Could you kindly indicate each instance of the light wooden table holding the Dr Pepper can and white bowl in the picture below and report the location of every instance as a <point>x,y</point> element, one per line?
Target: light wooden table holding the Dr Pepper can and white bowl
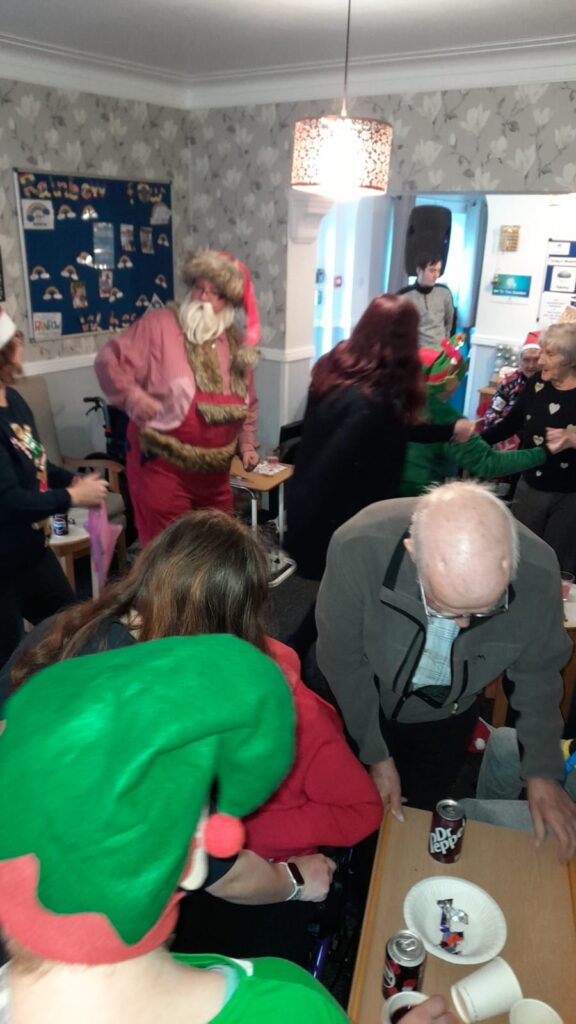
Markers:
<point>537,894</point>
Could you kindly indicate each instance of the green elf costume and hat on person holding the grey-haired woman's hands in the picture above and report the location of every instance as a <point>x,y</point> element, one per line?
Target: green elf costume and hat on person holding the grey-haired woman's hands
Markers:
<point>444,368</point>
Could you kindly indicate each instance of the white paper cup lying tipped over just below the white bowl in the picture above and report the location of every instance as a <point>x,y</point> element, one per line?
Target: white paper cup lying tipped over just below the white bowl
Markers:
<point>491,991</point>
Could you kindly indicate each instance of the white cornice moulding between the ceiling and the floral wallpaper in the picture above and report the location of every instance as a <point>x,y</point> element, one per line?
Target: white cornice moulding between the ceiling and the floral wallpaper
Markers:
<point>551,60</point>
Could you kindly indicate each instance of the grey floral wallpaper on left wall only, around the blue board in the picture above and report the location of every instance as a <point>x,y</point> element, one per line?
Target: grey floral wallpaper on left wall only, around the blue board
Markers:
<point>54,130</point>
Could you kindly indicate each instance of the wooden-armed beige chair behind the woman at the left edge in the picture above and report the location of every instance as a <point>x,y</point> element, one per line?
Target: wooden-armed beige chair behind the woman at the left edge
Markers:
<point>35,392</point>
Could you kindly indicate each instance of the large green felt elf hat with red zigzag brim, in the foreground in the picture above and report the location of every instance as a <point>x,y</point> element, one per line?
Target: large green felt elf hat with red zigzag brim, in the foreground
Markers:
<point>107,763</point>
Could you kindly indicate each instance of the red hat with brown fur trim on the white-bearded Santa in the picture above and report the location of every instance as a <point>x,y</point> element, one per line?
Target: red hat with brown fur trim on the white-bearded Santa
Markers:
<point>232,279</point>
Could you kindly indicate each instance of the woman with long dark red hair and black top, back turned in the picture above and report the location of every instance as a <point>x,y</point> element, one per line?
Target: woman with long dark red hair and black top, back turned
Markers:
<point>364,403</point>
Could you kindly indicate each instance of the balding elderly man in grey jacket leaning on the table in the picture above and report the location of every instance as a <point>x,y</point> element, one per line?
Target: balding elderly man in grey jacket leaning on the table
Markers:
<point>424,603</point>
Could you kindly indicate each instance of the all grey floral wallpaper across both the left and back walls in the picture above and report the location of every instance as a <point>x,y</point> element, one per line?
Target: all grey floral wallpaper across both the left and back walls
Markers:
<point>231,167</point>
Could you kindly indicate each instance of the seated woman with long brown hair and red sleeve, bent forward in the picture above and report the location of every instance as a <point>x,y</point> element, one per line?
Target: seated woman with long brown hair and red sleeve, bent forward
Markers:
<point>208,574</point>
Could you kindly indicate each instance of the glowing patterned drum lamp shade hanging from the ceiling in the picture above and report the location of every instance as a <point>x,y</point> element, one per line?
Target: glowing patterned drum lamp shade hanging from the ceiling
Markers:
<point>342,158</point>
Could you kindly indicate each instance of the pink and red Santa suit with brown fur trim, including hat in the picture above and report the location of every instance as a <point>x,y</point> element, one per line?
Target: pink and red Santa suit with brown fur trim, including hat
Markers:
<point>180,460</point>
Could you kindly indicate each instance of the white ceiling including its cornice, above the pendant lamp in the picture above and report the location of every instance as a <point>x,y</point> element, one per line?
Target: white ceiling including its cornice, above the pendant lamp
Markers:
<point>200,54</point>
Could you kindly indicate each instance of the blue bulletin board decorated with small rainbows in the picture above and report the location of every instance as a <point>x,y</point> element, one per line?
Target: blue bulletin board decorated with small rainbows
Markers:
<point>98,252</point>
